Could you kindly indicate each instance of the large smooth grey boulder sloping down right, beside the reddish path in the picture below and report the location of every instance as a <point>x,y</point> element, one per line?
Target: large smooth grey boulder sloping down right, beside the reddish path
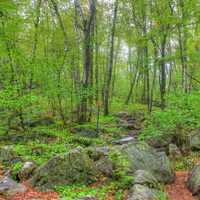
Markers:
<point>141,156</point>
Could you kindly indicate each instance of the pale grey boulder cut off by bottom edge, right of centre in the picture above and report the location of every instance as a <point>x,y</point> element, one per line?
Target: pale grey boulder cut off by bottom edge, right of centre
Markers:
<point>141,192</point>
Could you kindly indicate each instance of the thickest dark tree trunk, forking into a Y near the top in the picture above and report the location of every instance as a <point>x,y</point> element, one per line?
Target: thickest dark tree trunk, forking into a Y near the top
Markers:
<point>88,31</point>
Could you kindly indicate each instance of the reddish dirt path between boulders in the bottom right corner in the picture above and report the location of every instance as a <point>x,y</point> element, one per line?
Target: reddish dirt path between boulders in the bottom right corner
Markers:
<point>178,190</point>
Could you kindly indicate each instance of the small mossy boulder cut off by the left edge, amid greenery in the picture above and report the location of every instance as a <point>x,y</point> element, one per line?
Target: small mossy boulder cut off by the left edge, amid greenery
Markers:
<point>7,154</point>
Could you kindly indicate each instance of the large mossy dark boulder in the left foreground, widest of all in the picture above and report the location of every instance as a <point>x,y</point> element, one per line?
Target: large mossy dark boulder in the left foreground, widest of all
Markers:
<point>72,167</point>
